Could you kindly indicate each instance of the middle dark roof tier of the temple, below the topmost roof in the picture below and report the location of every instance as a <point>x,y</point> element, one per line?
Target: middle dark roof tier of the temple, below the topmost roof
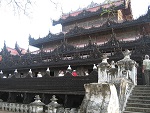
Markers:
<point>104,28</point>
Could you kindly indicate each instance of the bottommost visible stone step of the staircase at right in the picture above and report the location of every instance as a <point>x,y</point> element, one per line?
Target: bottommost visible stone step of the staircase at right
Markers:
<point>137,109</point>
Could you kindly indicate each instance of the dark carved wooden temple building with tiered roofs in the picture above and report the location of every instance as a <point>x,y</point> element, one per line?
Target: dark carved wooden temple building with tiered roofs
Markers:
<point>86,35</point>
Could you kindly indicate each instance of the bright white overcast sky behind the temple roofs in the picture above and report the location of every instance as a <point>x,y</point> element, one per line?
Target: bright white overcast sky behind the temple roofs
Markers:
<point>14,27</point>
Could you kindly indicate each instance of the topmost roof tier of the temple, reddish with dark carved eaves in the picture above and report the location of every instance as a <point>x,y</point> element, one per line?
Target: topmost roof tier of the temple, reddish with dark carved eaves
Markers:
<point>92,11</point>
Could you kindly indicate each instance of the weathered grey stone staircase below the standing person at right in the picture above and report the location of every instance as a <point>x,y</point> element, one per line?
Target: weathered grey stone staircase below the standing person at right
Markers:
<point>139,100</point>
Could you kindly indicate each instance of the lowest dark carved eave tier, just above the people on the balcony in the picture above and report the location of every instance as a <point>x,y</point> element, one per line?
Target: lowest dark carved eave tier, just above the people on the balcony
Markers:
<point>66,54</point>
